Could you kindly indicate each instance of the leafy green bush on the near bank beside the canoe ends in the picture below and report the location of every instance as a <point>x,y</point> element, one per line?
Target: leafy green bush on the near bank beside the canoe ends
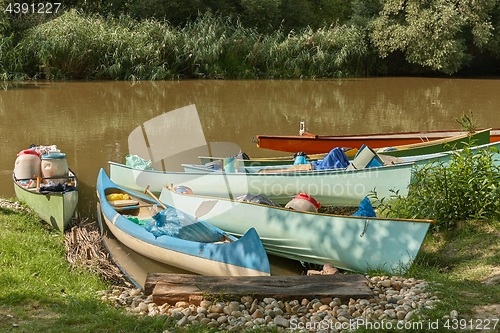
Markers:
<point>467,186</point>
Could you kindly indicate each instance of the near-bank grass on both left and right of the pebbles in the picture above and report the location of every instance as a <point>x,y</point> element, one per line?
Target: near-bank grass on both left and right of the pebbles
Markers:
<point>41,292</point>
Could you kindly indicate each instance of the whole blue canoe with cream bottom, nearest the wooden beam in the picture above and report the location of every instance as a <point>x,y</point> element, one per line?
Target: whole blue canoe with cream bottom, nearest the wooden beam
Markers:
<point>203,248</point>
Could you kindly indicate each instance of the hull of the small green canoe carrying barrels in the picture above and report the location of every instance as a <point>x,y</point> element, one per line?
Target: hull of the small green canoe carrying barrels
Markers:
<point>56,209</point>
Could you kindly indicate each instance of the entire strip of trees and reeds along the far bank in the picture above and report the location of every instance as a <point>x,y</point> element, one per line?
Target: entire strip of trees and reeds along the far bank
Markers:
<point>153,39</point>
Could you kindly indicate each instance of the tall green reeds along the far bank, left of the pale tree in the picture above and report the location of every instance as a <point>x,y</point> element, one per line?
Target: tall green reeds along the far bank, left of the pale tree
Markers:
<point>78,46</point>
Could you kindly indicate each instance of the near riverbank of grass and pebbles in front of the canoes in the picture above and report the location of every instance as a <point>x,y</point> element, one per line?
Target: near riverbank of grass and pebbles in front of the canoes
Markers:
<point>459,268</point>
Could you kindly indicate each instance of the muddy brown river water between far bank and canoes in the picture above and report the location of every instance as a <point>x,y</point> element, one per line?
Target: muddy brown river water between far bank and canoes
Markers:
<point>91,121</point>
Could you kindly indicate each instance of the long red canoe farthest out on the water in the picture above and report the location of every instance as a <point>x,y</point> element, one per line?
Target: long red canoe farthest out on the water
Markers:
<point>317,144</point>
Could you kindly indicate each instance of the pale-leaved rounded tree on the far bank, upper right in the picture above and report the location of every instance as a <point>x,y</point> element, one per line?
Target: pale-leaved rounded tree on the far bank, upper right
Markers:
<point>436,34</point>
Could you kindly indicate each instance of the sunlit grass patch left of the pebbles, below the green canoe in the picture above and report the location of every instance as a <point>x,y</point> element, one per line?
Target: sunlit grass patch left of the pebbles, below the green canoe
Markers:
<point>41,292</point>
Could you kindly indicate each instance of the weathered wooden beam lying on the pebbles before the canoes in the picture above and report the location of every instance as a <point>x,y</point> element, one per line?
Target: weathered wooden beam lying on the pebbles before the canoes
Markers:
<point>171,288</point>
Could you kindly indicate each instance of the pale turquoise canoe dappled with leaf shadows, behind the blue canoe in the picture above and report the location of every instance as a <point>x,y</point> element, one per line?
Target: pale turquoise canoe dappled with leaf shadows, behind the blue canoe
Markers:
<point>352,243</point>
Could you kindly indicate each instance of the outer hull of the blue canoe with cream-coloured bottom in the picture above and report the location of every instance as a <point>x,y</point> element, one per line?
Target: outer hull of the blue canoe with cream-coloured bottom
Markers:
<point>243,257</point>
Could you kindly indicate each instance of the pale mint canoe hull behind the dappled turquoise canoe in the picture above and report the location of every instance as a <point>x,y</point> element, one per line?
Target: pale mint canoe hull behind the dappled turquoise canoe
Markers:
<point>329,187</point>
